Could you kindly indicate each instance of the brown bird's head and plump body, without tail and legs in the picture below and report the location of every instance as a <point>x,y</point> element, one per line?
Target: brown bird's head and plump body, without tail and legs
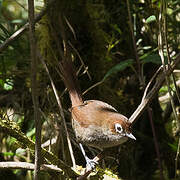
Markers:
<point>99,125</point>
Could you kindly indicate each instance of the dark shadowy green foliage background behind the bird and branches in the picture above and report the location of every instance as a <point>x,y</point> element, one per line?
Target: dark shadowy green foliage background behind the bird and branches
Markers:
<point>100,36</point>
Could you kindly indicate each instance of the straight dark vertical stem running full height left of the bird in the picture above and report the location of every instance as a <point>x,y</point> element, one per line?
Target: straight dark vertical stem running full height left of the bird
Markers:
<point>34,85</point>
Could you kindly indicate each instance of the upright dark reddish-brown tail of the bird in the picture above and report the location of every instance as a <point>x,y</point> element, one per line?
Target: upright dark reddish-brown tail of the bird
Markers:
<point>70,81</point>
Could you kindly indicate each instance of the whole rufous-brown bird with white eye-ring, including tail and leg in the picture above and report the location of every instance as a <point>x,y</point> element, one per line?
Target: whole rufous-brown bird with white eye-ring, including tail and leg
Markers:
<point>95,123</point>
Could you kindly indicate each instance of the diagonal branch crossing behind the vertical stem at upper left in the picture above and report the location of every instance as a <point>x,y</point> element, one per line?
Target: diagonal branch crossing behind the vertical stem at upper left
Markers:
<point>19,32</point>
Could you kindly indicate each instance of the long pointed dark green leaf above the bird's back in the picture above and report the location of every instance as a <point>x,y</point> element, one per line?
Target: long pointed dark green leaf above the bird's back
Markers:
<point>119,67</point>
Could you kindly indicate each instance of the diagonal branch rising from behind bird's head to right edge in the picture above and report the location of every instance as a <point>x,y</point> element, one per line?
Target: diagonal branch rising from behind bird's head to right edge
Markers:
<point>149,97</point>
